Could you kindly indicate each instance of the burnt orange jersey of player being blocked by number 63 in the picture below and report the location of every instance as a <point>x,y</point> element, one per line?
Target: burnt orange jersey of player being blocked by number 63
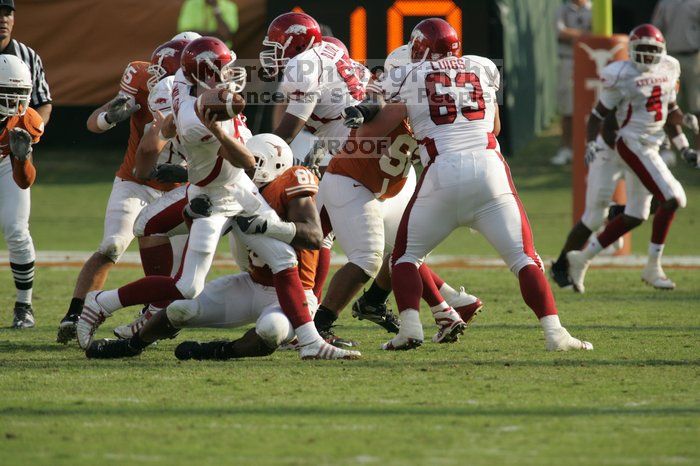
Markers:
<point>381,164</point>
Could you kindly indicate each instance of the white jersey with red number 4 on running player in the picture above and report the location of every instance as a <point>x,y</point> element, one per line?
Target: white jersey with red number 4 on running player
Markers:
<point>641,97</point>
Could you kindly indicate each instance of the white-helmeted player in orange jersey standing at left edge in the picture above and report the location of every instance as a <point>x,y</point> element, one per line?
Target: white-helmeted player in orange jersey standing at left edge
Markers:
<point>20,128</point>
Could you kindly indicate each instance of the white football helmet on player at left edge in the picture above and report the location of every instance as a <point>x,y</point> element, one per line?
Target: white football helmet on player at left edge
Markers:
<point>15,86</point>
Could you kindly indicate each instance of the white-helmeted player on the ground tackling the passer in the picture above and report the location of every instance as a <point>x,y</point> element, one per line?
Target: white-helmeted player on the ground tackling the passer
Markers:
<point>249,297</point>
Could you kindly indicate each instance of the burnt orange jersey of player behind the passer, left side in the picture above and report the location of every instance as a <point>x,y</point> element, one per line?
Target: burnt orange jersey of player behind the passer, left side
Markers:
<point>134,83</point>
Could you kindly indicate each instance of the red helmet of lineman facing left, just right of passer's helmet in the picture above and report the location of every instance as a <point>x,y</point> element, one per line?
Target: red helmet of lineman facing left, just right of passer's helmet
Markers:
<point>288,35</point>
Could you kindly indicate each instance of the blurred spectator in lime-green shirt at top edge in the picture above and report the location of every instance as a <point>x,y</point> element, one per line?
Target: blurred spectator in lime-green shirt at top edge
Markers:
<point>218,18</point>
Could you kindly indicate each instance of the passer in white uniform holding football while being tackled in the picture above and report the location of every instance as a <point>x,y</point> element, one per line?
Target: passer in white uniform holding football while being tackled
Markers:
<point>218,190</point>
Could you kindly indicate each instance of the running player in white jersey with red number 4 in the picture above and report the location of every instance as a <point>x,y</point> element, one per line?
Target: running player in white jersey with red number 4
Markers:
<point>643,90</point>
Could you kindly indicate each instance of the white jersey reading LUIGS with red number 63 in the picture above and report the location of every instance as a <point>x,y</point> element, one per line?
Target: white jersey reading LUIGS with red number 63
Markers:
<point>451,103</point>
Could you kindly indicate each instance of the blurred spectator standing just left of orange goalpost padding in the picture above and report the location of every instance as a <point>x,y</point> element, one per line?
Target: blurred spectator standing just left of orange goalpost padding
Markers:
<point>573,19</point>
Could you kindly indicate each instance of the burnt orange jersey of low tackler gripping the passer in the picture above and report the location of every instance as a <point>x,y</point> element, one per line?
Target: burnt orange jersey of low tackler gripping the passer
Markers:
<point>294,183</point>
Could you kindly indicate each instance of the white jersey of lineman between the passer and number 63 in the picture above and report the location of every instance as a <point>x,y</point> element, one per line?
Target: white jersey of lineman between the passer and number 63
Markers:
<point>320,83</point>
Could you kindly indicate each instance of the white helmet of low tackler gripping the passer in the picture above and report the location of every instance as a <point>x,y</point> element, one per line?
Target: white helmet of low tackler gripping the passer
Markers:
<point>272,155</point>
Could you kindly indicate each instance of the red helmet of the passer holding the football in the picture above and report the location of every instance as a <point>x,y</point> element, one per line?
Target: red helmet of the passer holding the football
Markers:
<point>209,62</point>
